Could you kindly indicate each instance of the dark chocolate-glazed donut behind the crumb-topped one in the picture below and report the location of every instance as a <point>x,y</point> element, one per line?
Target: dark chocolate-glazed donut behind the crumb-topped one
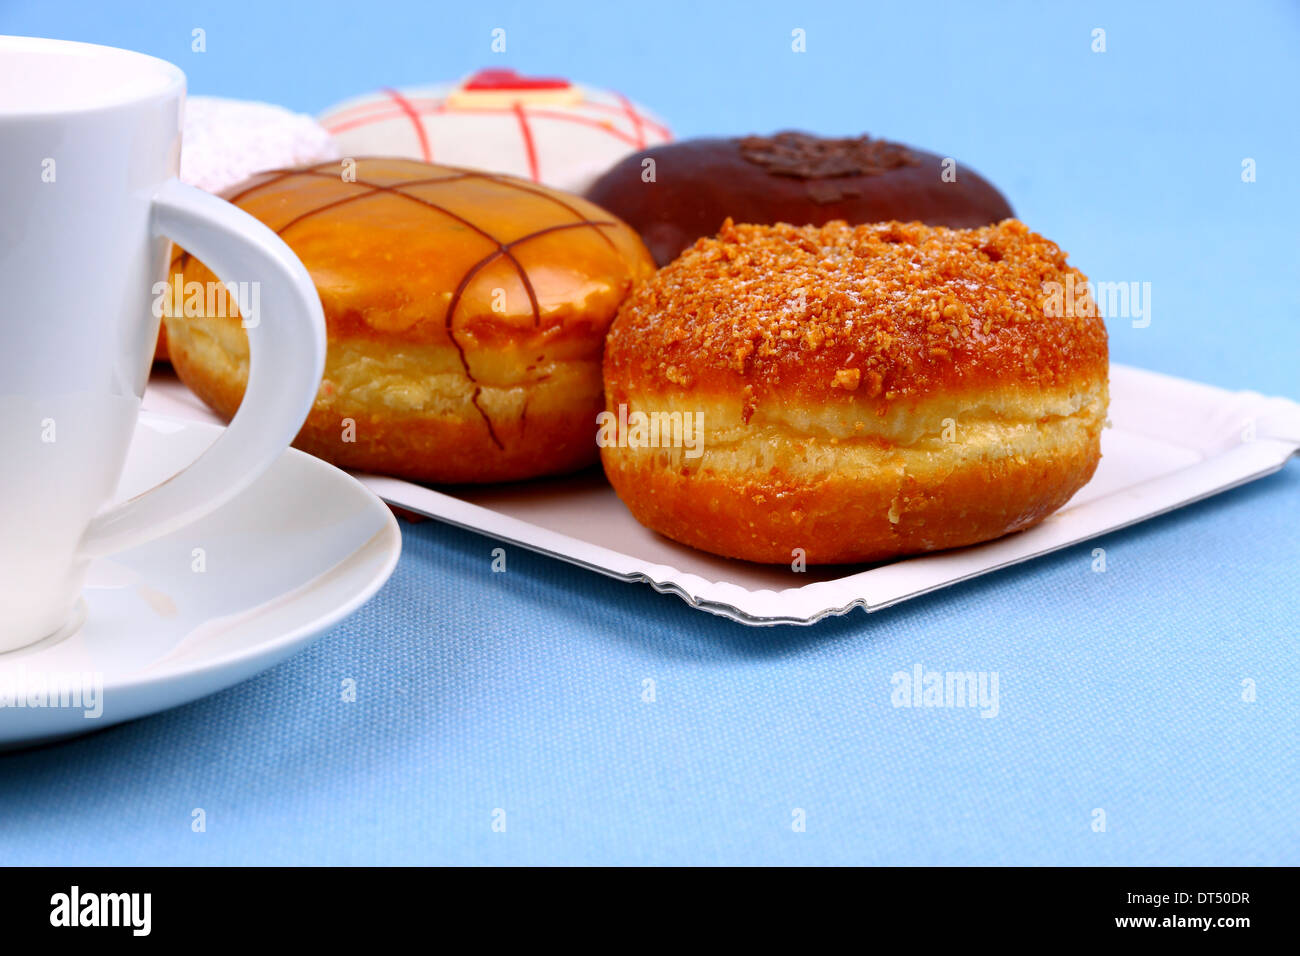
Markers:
<point>679,193</point>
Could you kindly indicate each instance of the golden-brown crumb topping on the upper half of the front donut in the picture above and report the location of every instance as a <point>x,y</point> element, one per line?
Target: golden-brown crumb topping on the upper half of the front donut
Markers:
<point>868,312</point>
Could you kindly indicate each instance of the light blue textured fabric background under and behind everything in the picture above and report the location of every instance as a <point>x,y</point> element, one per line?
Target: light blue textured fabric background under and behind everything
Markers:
<point>523,691</point>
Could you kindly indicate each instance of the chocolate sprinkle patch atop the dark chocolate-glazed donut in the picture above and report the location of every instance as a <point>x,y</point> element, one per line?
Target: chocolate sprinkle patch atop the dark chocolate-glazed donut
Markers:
<point>804,157</point>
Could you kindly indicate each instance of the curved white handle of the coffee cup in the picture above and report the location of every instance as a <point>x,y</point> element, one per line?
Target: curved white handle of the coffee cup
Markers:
<point>287,361</point>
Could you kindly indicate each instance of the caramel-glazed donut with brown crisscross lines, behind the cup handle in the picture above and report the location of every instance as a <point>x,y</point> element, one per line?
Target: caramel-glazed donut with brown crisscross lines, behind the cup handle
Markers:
<point>466,317</point>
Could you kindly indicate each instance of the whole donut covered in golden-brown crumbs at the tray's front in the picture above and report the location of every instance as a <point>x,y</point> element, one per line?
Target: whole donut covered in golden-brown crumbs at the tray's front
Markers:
<point>846,395</point>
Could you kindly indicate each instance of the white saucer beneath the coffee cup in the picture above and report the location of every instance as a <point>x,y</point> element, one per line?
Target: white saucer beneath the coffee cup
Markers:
<point>284,561</point>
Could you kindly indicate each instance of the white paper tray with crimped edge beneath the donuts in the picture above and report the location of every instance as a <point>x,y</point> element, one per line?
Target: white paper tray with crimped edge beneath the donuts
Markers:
<point>1171,443</point>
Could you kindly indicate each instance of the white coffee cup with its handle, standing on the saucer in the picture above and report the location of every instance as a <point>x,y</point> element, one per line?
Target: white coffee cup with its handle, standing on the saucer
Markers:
<point>90,146</point>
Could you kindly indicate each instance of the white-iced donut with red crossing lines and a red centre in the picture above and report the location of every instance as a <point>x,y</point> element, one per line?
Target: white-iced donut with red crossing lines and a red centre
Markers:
<point>544,129</point>
